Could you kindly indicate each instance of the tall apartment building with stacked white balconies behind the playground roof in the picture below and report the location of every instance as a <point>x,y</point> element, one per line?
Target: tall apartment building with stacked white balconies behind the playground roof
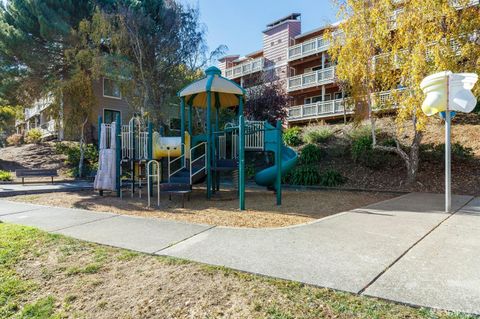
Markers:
<point>302,64</point>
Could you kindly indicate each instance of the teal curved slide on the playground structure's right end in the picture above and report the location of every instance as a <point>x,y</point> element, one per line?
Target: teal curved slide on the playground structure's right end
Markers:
<point>267,176</point>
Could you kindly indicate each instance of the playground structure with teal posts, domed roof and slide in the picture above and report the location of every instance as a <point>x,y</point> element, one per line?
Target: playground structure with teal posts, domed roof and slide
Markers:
<point>172,165</point>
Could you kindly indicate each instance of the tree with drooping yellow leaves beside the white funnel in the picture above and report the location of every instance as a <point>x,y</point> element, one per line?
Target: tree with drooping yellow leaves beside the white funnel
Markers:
<point>391,46</point>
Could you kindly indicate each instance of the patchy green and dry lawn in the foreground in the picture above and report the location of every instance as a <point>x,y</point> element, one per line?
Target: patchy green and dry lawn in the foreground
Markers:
<point>51,276</point>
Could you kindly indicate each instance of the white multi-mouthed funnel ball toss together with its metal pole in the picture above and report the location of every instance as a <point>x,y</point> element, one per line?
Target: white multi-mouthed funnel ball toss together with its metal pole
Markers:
<point>448,93</point>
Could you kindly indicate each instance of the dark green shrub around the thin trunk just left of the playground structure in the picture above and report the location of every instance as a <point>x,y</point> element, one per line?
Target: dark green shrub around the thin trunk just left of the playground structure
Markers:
<point>72,151</point>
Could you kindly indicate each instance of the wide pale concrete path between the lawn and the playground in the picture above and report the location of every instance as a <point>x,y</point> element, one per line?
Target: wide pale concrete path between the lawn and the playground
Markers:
<point>405,249</point>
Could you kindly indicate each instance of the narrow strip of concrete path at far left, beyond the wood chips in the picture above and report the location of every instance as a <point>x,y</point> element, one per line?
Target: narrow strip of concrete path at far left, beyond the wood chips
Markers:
<point>46,187</point>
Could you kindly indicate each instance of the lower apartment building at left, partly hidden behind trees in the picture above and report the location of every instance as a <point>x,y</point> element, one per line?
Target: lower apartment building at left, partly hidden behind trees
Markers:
<point>42,114</point>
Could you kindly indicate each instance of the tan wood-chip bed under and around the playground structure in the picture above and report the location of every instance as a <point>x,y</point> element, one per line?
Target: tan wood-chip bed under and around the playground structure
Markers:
<point>297,206</point>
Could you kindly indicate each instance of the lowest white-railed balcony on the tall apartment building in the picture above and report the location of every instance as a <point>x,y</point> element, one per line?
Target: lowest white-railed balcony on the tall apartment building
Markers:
<point>318,110</point>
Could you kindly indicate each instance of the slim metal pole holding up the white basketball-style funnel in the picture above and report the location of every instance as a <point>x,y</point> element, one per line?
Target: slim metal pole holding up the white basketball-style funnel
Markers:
<point>448,153</point>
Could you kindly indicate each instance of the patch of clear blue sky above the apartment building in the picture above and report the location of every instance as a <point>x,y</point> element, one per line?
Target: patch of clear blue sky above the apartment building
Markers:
<point>239,23</point>
